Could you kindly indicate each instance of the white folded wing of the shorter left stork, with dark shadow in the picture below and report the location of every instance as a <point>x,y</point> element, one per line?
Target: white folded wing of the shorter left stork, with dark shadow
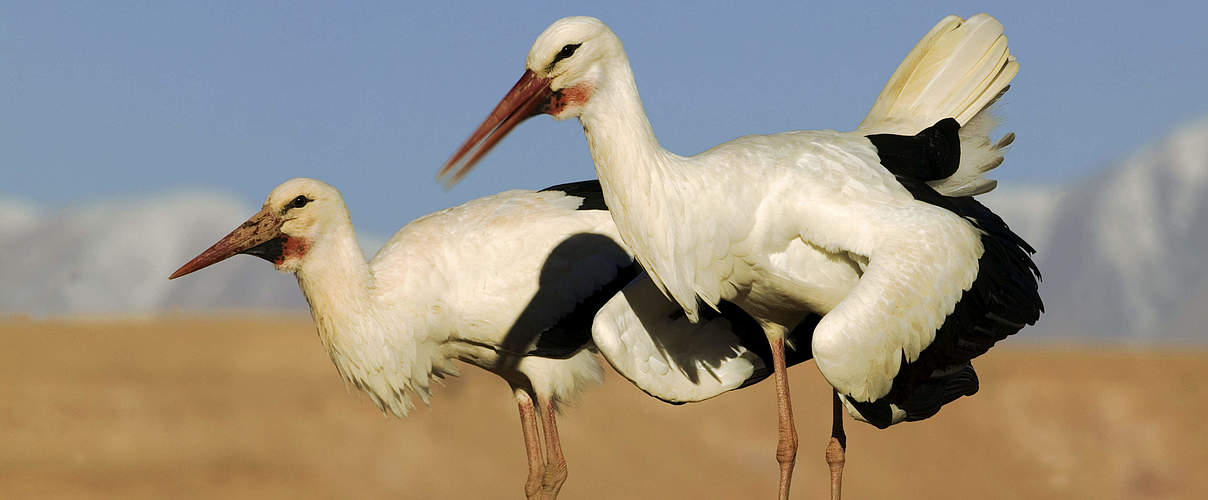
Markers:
<point>521,272</point>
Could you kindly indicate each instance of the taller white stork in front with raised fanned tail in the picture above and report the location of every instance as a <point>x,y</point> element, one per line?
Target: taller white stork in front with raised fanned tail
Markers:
<point>876,230</point>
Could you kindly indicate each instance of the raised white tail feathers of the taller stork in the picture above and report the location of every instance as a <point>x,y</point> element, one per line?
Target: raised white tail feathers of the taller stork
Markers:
<point>957,71</point>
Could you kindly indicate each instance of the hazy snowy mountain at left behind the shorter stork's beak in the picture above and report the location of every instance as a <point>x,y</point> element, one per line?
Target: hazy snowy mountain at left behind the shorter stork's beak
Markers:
<point>114,258</point>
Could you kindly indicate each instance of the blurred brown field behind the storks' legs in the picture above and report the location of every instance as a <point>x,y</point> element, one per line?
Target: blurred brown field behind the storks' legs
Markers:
<point>235,409</point>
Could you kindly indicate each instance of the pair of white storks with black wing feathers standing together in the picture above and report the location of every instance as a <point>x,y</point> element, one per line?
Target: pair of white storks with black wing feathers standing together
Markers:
<point>864,251</point>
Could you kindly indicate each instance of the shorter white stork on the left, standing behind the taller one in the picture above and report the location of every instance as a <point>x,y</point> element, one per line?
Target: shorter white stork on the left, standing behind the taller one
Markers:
<point>461,284</point>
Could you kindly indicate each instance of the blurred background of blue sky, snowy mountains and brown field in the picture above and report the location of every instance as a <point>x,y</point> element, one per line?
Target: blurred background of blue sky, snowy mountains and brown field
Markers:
<point>135,135</point>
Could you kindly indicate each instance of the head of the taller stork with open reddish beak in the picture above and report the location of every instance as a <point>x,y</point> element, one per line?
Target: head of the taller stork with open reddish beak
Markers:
<point>564,69</point>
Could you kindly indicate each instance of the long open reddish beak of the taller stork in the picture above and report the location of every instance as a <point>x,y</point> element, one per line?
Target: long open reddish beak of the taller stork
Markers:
<point>528,97</point>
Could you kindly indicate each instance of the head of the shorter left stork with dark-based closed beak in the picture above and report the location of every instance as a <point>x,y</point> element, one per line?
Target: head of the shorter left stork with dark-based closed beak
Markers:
<point>294,218</point>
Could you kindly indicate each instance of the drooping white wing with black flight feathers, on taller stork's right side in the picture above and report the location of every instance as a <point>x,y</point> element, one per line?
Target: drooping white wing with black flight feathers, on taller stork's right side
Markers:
<point>899,346</point>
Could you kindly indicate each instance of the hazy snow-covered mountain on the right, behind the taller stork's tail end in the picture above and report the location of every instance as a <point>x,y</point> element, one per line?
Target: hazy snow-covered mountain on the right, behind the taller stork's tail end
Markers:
<point>1123,254</point>
